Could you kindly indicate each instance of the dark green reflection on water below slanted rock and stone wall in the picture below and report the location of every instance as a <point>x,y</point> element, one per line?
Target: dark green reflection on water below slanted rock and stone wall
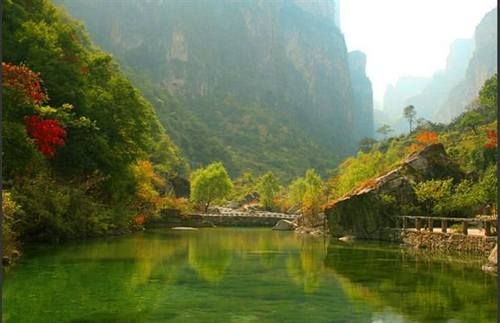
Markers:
<point>419,286</point>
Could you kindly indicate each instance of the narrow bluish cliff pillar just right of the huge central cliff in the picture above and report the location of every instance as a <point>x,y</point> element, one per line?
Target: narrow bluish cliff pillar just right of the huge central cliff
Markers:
<point>363,96</point>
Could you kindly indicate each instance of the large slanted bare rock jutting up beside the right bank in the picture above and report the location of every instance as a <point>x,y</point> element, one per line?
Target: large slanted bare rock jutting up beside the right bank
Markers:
<point>369,209</point>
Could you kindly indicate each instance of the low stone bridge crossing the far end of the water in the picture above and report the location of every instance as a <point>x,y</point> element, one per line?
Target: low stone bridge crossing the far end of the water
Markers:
<point>228,219</point>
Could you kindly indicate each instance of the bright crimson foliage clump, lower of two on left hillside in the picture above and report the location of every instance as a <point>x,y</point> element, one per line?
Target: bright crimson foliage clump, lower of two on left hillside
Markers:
<point>46,133</point>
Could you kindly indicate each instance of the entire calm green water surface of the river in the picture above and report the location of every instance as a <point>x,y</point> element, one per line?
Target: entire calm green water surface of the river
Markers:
<point>242,275</point>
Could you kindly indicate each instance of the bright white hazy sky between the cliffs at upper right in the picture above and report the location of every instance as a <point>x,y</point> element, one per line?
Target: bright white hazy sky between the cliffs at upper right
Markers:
<point>407,37</point>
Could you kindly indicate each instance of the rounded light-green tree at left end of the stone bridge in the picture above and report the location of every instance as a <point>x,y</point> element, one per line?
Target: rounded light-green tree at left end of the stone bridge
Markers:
<point>210,184</point>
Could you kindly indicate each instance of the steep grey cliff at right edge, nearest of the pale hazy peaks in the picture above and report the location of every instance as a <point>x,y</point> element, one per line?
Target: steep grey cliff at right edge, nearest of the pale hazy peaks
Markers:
<point>482,65</point>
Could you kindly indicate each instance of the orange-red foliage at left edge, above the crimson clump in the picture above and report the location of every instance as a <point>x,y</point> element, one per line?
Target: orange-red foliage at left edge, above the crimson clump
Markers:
<point>24,81</point>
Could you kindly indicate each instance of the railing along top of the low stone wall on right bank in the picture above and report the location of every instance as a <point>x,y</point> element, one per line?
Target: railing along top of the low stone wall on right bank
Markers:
<point>487,221</point>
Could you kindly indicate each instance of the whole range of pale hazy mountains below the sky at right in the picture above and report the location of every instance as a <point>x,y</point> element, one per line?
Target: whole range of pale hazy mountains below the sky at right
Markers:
<point>449,91</point>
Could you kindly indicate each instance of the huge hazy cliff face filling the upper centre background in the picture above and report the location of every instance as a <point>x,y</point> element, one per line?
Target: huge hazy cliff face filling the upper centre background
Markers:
<point>268,82</point>
